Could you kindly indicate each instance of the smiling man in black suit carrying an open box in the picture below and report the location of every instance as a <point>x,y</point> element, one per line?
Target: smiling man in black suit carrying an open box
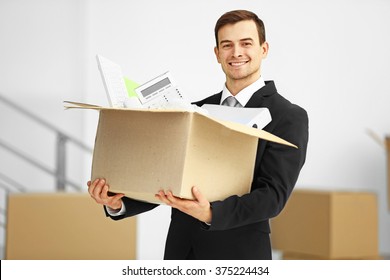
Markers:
<point>237,227</point>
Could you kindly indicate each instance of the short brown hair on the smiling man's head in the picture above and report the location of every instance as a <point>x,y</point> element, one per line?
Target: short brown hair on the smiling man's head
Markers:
<point>235,16</point>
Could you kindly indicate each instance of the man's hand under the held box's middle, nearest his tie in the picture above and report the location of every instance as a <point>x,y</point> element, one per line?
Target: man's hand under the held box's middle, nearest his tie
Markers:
<point>199,208</point>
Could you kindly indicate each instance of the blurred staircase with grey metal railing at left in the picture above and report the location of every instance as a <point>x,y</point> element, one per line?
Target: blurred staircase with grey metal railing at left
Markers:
<point>56,169</point>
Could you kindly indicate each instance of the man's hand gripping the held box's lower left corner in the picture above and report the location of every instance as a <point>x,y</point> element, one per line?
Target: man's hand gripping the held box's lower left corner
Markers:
<point>98,190</point>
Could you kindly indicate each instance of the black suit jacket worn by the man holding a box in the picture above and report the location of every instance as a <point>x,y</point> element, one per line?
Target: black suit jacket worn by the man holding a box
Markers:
<point>240,225</point>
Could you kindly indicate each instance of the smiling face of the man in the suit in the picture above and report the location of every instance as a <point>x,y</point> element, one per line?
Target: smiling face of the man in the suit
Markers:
<point>239,52</point>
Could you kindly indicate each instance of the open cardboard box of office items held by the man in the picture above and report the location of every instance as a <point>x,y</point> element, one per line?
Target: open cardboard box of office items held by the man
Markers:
<point>140,152</point>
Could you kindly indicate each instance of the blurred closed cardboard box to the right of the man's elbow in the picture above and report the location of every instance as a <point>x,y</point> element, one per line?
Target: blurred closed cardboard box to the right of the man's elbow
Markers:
<point>328,224</point>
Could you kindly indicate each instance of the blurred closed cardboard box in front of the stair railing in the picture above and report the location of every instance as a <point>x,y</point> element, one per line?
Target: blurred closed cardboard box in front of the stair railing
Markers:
<point>63,226</point>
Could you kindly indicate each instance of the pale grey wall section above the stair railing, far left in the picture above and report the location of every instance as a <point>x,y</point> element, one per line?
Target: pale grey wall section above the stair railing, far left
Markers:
<point>41,52</point>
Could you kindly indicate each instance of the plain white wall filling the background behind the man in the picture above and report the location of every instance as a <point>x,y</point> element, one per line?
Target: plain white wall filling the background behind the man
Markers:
<point>331,57</point>
